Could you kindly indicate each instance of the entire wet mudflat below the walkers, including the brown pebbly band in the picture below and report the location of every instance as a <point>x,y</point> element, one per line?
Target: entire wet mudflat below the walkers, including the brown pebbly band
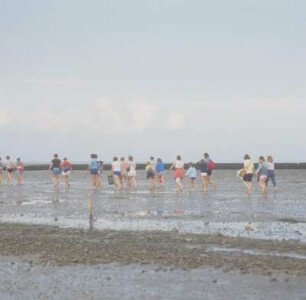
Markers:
<point>143,245</point>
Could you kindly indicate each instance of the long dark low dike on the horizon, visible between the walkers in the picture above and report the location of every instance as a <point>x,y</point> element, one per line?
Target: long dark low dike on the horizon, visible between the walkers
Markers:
<point>141,166</point>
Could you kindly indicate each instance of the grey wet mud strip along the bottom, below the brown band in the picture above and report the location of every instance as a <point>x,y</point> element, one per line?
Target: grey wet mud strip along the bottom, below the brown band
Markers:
<point>25,280</point>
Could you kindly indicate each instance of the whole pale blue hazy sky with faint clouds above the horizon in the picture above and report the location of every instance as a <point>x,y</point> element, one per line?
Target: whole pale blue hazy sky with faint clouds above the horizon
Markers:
<point>153,77</point>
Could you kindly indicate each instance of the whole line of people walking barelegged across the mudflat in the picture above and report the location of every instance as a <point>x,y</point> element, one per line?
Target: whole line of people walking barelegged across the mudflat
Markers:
<point>123,172</point>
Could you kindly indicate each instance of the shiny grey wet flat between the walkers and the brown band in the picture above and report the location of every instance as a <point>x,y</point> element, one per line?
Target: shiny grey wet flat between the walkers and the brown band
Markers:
<point>227,210</point>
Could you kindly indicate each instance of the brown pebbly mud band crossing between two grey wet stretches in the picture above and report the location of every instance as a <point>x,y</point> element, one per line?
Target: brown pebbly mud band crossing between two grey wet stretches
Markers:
<point>62,247</point>
